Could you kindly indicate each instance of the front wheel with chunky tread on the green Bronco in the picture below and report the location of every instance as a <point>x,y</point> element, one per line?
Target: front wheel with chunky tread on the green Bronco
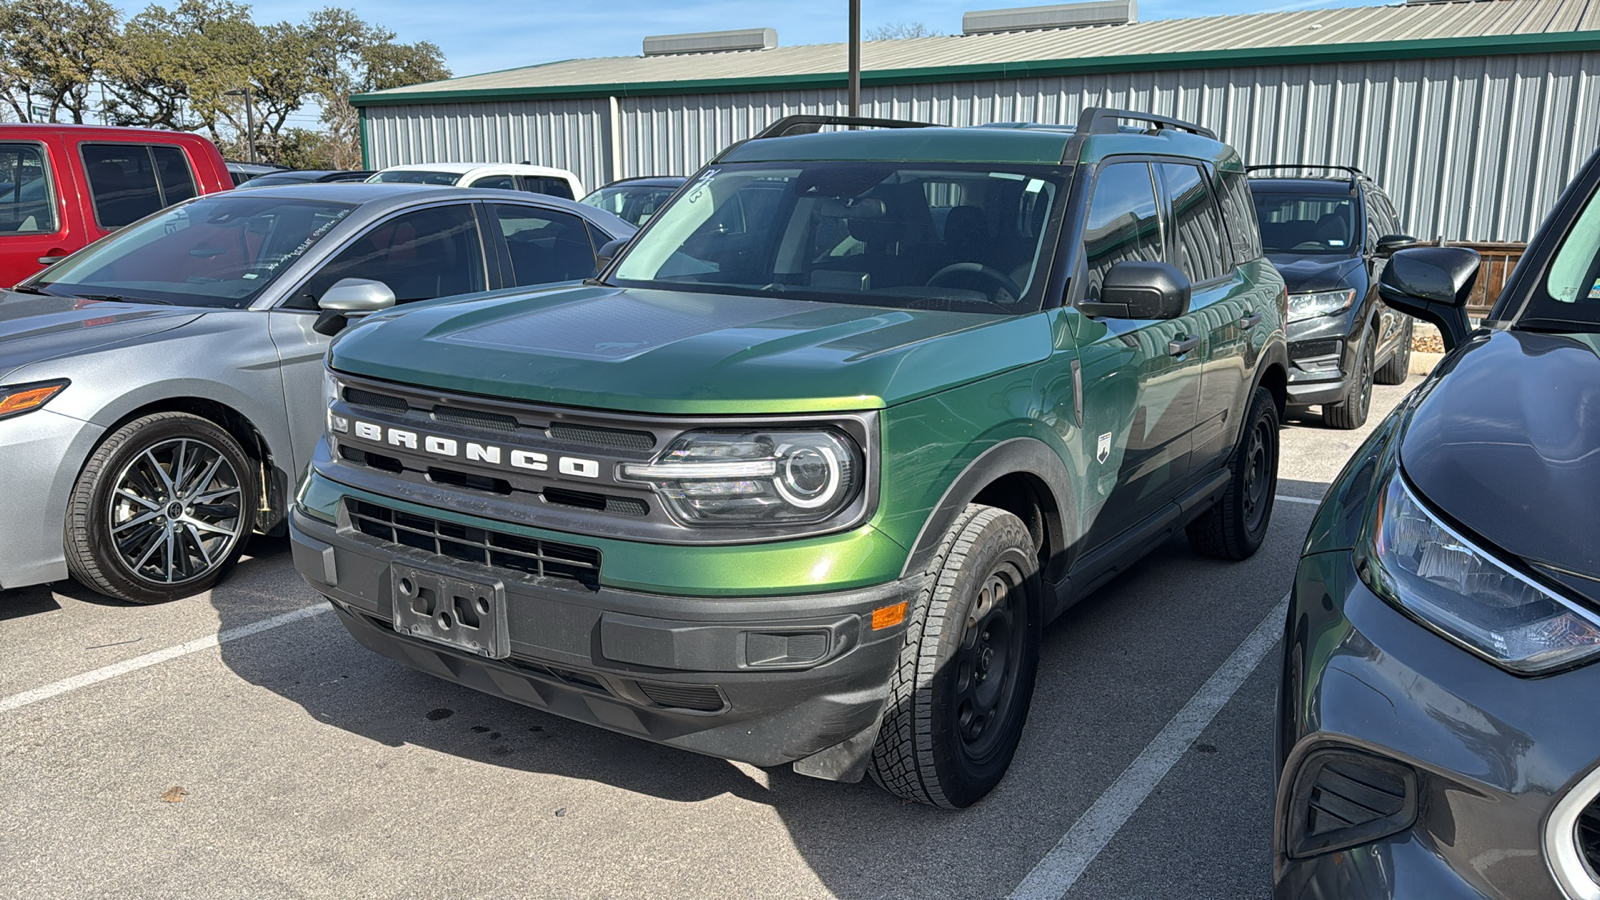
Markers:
<point>966,678</point>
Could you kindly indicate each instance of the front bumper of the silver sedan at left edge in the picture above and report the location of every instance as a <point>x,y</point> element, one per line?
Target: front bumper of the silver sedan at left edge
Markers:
<point>44,454</point>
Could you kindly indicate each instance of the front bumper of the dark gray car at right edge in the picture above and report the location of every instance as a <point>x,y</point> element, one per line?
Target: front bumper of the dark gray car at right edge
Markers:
<point>1497,758</point>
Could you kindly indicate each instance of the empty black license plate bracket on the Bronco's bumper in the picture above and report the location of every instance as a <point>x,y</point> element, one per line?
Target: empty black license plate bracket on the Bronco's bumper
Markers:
<point>450,608</point>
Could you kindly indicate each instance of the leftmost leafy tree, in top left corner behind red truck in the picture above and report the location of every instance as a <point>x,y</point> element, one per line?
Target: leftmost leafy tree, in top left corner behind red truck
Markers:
<point>52,54</point>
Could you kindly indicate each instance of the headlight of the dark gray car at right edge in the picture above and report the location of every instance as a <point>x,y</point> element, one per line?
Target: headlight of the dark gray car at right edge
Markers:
<point>1426,569</point>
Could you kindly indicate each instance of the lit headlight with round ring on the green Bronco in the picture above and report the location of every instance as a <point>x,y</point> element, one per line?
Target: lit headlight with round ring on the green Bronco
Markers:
<point>737,478</point>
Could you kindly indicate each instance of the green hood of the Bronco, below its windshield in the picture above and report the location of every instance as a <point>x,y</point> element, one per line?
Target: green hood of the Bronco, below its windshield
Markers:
<point>687,353</point>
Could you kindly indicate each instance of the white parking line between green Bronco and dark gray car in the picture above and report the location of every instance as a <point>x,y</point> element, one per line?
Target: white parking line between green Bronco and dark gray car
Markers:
<point>1066,862</point>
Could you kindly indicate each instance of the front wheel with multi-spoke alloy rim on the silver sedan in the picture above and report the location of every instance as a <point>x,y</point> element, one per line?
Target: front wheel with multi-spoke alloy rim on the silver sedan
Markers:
<point>161,512</point>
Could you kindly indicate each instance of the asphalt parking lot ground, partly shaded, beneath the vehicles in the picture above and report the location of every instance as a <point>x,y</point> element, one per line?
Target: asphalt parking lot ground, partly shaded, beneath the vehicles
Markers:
<point>239,744</point>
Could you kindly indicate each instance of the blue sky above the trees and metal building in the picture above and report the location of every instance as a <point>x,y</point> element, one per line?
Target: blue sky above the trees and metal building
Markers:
<point>487,36</point>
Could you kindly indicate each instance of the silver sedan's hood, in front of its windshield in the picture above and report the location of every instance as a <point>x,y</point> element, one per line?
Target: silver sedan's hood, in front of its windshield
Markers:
<point>34,327</point>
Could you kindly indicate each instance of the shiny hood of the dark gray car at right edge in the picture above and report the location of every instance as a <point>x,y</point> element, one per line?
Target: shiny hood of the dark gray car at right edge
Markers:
<point>1508,443</point>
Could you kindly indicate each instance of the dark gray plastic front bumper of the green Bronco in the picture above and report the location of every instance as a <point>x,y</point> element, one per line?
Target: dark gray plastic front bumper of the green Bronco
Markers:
<point>758,680</point>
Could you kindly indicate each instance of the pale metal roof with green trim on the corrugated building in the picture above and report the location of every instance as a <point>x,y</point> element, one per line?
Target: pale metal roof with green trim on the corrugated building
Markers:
<point>1465,28</point>
